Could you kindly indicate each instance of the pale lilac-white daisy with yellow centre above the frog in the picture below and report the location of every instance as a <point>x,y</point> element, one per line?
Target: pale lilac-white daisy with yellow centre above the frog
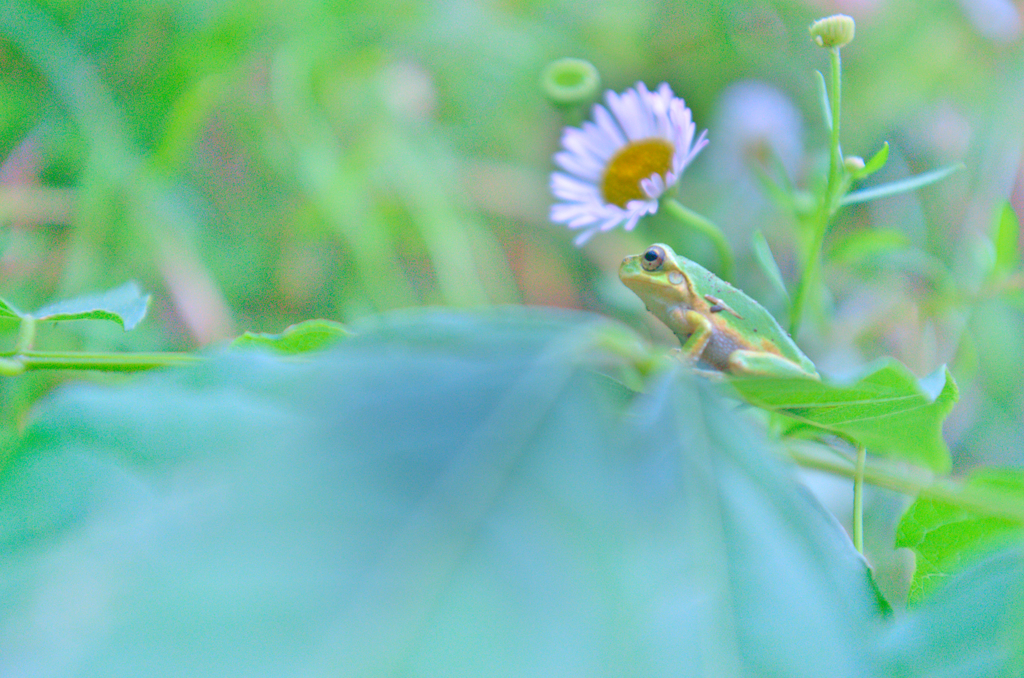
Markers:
<point>618,166</point>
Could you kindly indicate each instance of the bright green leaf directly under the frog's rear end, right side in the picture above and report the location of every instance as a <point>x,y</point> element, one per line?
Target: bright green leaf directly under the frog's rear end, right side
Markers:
<point>889,411</point>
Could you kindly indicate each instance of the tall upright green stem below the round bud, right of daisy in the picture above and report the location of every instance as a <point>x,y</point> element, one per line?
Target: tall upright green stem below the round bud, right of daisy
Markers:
<point>830,202</point>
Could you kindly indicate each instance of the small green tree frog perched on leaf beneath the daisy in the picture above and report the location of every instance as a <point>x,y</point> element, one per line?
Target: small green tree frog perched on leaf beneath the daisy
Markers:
<point>718,325</point>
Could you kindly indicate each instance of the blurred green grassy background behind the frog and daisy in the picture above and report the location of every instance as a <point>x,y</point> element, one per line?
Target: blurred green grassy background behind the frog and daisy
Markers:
<point>255,164</point>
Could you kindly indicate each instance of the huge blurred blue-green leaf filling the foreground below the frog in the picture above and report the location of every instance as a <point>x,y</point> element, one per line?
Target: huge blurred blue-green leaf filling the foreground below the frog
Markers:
<point>441,495</point>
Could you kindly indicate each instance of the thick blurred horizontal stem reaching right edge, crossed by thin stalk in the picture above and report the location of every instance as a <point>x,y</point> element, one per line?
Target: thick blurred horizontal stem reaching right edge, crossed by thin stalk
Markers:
<point>912,482</point>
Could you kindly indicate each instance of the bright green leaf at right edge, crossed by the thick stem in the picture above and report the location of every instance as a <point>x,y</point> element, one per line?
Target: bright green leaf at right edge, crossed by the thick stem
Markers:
<point>946,537</point>
